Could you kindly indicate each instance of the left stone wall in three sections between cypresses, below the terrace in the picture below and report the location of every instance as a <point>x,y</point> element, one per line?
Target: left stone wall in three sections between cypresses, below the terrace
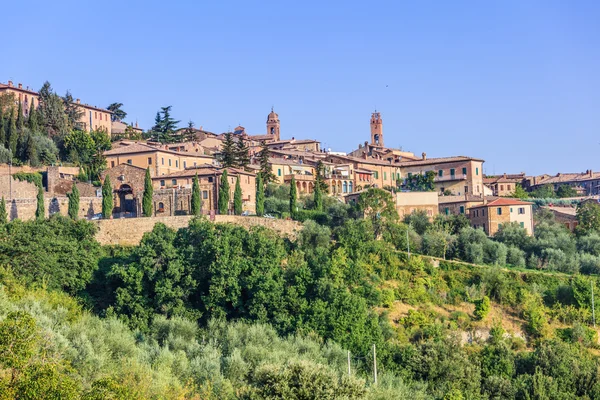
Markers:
<point>24,209</point>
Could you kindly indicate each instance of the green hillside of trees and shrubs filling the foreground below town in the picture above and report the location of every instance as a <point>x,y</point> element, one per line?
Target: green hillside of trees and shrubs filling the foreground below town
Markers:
<point>218,310</point>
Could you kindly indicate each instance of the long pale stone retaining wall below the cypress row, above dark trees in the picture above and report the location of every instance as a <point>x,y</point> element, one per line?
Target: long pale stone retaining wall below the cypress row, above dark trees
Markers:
<point>129,231</point>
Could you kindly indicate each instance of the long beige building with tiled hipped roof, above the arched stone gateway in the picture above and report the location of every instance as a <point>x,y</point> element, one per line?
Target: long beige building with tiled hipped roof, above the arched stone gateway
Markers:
<point>161,161</point>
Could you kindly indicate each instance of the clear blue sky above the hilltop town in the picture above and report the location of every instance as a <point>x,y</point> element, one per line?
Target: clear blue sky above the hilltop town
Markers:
<point>513,82</point>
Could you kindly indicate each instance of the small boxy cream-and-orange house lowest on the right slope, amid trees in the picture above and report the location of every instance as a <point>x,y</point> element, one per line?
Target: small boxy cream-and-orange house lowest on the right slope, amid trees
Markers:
<point>491,216</point>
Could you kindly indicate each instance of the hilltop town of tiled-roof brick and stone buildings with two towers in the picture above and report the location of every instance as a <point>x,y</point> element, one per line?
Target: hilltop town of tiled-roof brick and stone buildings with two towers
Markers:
<point>82,145</point>
